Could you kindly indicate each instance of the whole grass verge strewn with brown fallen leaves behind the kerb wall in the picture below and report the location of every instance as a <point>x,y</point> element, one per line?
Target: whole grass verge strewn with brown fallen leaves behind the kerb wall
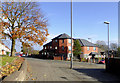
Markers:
<point>9,65</point>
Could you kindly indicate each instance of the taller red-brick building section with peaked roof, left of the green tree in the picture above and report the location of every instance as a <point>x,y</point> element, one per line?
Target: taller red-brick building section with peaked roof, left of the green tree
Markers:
<point>58,48</point>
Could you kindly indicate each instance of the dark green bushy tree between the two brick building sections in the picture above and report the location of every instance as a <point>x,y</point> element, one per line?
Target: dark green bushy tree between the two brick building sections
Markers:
<point>77,48</point>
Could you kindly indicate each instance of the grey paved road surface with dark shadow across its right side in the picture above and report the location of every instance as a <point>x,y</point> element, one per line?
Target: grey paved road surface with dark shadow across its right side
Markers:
<point>51,70</point>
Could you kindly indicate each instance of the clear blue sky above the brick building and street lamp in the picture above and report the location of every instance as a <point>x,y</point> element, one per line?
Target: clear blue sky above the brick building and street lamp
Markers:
<point>88,20</point>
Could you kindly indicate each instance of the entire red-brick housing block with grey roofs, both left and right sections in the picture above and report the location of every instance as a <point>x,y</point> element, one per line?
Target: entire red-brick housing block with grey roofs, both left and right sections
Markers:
<point>60,48</point>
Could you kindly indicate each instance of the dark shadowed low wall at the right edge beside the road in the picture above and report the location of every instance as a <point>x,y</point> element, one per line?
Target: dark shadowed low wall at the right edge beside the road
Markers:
<point>113,65</point>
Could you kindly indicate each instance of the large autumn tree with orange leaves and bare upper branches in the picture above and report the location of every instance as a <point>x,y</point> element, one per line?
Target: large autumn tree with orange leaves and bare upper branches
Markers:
<point>23,21</point>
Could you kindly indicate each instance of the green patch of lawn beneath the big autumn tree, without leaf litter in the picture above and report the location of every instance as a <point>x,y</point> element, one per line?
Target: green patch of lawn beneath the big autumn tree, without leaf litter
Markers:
<point>4,59</point>
